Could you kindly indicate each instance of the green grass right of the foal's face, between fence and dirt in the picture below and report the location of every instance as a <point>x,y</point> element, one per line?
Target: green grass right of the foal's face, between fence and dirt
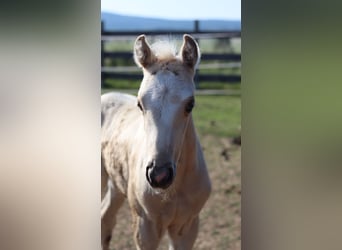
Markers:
<point>218,115</point>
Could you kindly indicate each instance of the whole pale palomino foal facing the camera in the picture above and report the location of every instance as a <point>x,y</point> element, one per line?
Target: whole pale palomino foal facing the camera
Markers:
<point>150,151</point>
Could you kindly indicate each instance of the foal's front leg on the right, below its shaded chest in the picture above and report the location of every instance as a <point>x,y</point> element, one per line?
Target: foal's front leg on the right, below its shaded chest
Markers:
<point>184,238</point>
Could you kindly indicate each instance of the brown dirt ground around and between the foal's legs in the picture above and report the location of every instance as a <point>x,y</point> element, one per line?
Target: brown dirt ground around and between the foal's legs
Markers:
<point>220,219</point>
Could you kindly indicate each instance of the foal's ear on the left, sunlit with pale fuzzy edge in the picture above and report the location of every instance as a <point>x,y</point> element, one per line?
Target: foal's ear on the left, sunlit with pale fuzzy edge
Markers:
<point>143,55</point>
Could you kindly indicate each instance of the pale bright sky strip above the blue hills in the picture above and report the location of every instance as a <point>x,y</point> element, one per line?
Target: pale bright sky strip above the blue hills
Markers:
<point>176,9</point>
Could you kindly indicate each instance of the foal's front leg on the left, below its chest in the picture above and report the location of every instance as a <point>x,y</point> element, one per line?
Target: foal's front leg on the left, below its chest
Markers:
<point>146,233</point>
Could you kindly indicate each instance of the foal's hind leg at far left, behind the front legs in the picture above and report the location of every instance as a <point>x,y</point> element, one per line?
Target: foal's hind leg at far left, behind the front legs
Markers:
<point>110,205</point>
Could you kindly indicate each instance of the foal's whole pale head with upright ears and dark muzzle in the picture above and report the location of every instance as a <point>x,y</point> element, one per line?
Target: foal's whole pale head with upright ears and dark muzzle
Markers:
<point>166,99</point>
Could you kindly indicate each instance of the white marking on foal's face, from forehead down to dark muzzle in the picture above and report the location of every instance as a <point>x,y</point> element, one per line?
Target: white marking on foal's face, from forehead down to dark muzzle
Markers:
<point>163,97</point>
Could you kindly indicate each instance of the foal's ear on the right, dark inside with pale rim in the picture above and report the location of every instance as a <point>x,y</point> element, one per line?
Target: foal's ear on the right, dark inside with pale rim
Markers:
<point>190,52</point>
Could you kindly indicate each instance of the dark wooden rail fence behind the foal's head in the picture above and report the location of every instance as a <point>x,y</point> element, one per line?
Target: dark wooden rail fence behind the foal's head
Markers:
<point>212,60</point>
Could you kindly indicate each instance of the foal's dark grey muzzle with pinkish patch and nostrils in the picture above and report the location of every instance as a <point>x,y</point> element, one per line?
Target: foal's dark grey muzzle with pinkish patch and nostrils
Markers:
<point>160,176</point>
